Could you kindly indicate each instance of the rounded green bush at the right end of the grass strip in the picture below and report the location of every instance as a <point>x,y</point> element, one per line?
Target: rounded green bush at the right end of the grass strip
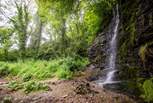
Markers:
<point>68,66</point>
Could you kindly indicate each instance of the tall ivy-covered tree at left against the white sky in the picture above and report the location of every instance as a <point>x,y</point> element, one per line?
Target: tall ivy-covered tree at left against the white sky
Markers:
<point>20,24</point>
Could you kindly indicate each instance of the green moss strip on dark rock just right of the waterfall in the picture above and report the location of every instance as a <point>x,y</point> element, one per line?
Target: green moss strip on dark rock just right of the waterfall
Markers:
<point>127,41</point>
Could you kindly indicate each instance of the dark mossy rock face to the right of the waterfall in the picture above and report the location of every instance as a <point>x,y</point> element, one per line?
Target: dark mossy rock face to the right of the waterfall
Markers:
<point>136,38</point>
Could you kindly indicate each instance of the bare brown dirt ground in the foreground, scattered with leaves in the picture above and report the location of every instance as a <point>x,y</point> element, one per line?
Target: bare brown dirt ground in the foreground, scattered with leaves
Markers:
<point>77,90</point>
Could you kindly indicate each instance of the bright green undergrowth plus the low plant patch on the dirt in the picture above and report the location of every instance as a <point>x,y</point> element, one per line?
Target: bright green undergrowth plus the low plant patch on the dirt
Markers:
<point>31,70</point>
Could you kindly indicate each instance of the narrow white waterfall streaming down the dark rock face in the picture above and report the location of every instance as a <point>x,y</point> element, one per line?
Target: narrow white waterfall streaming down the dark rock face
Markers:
<point>113,50</point>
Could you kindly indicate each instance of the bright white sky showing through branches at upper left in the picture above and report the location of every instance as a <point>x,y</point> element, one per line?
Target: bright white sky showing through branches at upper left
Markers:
<point>8,9</point>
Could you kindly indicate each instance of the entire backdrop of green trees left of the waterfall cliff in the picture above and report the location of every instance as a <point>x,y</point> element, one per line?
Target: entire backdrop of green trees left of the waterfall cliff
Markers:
<point>71,24</point>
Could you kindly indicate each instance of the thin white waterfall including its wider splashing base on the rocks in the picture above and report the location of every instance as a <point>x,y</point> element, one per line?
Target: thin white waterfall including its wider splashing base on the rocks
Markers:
<point>110,67</point>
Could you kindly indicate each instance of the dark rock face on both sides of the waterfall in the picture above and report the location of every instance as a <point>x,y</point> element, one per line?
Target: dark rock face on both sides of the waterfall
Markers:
<point>135,43</point>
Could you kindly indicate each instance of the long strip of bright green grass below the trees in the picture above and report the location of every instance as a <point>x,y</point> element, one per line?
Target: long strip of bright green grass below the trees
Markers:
<point>63,68</point>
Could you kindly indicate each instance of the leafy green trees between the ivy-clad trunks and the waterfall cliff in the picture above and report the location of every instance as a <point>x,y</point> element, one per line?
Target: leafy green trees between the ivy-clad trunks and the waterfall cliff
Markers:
<point>74,24</point>
